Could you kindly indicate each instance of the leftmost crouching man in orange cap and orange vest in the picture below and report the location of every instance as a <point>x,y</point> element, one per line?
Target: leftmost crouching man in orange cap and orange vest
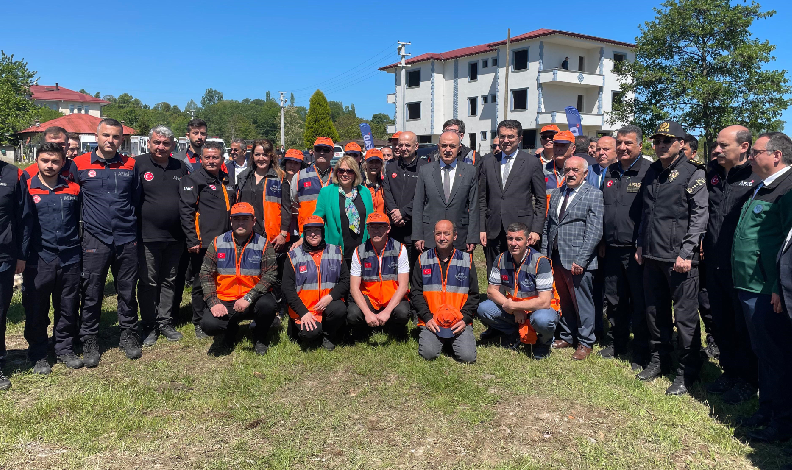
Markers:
<point>237,275</point>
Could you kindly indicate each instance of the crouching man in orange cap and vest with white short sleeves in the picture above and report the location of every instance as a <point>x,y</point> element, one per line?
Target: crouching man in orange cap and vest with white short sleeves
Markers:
<point>379,277</point>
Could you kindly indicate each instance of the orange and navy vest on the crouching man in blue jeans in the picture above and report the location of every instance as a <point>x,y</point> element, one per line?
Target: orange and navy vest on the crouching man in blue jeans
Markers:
<point>522,286</point>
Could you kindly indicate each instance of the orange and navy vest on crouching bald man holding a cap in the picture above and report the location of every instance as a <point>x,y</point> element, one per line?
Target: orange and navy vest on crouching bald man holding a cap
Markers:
<point>451,289</point>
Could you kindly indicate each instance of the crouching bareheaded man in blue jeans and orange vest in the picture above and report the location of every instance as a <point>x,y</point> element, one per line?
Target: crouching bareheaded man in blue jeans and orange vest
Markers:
<point>520,296</point>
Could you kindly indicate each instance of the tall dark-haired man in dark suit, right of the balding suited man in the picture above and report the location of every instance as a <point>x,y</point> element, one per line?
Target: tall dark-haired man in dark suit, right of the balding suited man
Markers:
<point>511,190</point>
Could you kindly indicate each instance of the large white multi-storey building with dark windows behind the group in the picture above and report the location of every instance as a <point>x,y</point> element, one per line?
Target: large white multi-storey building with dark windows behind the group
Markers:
<point>469,84</point>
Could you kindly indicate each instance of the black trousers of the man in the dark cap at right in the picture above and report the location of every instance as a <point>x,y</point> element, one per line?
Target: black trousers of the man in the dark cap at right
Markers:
<point>662,286</point>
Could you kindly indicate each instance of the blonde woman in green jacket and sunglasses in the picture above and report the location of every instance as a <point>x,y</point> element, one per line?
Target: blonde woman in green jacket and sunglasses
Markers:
<point>344,205</point>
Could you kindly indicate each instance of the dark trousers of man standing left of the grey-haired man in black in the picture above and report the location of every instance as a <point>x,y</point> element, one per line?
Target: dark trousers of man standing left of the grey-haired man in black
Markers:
<point>98,257</point>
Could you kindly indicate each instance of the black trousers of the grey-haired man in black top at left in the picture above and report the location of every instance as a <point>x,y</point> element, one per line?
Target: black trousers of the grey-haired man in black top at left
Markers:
<point>159,265</point>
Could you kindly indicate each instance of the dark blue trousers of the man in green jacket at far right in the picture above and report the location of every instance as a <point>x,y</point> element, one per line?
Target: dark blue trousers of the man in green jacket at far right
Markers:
<point>770,333</point>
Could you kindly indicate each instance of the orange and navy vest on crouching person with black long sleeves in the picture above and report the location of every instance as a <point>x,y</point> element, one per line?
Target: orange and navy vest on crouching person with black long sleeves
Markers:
<point>314,282</point>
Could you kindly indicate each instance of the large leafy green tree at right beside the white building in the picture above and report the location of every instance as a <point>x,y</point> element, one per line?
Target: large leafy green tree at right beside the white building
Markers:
<point>697,63</point>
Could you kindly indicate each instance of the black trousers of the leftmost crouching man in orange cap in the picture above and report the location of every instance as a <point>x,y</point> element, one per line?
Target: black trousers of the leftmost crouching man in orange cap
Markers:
<point>263,311</point>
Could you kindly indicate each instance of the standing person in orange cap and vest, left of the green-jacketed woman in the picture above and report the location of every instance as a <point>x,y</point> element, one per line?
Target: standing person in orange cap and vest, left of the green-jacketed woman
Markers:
<point>306,184</point>
